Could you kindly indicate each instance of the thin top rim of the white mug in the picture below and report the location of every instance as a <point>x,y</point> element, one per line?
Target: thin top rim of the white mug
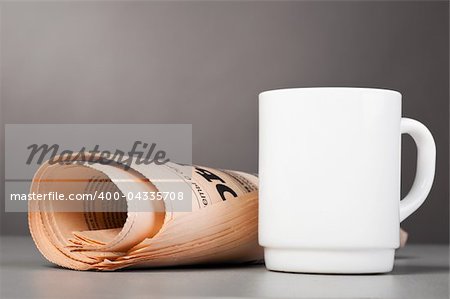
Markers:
<point>281,91</point>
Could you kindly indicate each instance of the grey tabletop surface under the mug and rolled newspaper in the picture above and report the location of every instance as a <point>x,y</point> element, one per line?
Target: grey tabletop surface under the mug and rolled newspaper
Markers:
<point>421,271</point>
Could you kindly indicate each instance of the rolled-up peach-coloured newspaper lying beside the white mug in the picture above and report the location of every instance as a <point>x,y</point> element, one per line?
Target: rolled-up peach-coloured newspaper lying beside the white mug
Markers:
<point>220,228</point>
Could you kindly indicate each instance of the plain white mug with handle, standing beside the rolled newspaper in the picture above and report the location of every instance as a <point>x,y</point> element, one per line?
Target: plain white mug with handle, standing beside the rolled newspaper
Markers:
<point>329,166</point>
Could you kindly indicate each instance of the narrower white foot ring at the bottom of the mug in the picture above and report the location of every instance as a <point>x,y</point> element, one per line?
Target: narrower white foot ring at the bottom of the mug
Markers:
<point>337,261</point>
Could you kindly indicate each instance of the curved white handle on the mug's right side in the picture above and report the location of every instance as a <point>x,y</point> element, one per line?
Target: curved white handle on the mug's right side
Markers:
<point>426,163</point>
